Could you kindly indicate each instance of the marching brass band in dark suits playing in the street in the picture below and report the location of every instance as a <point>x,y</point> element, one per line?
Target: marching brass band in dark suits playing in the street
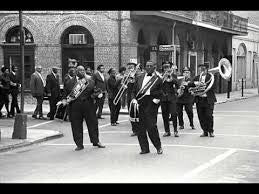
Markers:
<point>146,91</point>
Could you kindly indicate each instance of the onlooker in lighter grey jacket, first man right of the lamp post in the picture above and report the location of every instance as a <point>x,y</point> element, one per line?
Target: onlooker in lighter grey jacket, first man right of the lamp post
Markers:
<point>37,84</point>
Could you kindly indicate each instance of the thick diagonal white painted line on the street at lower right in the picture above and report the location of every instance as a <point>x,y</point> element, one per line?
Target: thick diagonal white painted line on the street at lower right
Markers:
<point>206,165</point>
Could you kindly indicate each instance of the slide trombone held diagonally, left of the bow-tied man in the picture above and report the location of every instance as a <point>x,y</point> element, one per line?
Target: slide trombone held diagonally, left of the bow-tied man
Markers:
<point>129,78</point>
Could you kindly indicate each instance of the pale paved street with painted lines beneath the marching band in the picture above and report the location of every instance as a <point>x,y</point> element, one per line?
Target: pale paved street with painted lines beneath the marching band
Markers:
<point>230,157</point>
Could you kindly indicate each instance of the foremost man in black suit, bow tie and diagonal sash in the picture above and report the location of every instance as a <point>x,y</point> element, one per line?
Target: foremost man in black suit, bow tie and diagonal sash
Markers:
<point>147,92</point>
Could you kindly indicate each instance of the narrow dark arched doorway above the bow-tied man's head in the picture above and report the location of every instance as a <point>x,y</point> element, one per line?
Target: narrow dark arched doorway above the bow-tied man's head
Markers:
<point>143,53</point>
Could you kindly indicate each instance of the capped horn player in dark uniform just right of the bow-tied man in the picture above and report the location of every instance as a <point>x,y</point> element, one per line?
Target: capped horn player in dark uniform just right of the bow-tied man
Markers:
<point>168,99</point>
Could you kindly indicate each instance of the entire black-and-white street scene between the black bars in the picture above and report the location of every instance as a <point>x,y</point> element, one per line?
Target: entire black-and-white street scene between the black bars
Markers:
<point>129,96</point>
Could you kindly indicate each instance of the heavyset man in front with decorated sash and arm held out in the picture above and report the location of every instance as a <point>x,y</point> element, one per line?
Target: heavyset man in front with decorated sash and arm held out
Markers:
<point>82,107</point>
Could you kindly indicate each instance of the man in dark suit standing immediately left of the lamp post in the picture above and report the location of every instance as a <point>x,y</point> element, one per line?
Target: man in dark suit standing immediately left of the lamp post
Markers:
<point>14,90</point>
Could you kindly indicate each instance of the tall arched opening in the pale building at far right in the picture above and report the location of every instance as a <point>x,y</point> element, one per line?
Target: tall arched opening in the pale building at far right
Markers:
<point>241,62</point>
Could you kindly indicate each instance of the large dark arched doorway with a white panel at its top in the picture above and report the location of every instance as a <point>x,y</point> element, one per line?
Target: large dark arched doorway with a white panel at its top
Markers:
<point>77,45</point>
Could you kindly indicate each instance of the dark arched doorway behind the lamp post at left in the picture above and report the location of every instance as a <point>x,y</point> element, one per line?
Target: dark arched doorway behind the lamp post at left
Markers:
<point>12,56</point>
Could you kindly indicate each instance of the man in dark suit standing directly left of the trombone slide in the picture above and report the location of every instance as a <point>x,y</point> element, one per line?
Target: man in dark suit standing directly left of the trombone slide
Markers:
<point>113,86</point>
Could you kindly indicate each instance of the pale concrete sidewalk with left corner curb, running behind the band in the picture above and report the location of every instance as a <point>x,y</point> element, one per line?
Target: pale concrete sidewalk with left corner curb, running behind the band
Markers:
<point>40,135</point>
